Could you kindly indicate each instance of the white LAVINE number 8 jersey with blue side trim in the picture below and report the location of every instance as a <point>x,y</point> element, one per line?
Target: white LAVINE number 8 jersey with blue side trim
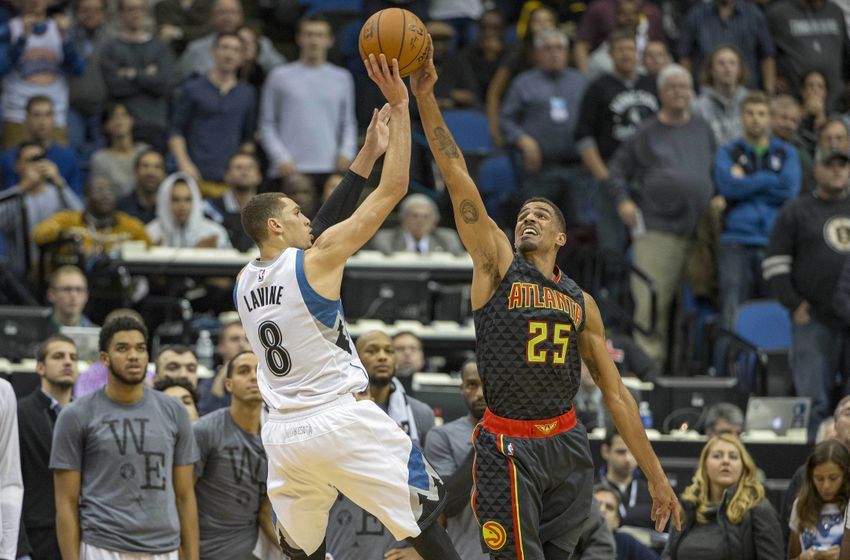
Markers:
<point>306,357</point>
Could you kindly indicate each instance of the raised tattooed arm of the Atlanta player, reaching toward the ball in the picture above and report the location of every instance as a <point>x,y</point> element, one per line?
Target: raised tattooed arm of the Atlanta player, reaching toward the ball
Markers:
<point>483,239</point>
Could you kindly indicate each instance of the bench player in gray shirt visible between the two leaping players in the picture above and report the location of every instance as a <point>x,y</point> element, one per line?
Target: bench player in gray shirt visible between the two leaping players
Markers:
<point>449,449</point>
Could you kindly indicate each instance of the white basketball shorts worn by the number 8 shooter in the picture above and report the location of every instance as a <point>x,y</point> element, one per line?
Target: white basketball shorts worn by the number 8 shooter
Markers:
<point>352,447</point>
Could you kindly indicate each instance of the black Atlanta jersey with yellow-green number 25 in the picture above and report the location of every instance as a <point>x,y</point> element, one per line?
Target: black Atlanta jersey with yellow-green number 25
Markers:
<point>527,343</point>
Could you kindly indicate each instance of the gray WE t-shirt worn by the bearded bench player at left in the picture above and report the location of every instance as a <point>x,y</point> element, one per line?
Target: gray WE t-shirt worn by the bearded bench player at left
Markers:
<point>126,455</point>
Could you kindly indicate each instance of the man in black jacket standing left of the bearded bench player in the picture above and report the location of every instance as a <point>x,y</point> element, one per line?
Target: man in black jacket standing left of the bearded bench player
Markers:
<point>56,364</point>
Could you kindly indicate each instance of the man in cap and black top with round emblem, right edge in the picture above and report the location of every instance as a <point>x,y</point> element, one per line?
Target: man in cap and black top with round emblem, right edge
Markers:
<point>807,249</point>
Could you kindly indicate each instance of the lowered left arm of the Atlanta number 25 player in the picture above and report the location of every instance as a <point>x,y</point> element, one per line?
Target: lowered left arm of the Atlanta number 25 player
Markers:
<point>624,411</point>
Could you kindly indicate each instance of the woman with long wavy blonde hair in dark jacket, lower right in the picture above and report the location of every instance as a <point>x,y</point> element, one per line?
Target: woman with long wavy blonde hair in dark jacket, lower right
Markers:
<point>724,509</point>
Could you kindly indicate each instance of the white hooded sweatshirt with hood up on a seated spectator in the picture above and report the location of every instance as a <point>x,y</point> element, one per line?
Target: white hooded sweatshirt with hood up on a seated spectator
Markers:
<point>165,230</point>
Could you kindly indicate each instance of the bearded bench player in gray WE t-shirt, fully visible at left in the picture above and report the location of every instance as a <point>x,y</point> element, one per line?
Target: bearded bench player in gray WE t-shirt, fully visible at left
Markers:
<point>122,463</point>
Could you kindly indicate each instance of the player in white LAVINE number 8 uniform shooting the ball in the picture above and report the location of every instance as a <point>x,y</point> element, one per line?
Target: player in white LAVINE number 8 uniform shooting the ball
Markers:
<point>319,439</point>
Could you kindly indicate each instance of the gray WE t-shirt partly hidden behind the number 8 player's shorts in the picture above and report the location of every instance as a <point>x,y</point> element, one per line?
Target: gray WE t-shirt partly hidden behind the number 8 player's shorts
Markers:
<point>231,486</point>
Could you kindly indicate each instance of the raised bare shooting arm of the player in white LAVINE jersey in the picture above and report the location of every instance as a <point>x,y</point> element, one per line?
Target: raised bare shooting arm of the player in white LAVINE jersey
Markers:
<point>342,240</point>
